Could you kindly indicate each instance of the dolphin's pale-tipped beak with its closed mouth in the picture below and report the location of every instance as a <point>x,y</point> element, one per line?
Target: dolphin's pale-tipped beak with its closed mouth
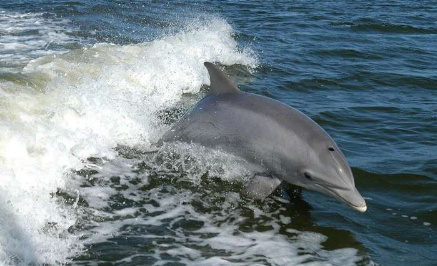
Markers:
<point>351,198</point>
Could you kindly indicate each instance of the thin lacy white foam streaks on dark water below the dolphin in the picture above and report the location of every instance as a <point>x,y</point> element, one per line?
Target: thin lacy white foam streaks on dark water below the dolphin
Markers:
<point>219,240</point>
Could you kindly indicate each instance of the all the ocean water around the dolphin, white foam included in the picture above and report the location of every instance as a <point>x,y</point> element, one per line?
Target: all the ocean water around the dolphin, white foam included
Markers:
<point>87,88</point>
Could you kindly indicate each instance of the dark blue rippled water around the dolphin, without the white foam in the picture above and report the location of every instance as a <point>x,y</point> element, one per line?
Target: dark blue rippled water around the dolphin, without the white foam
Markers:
<point>365,71</point>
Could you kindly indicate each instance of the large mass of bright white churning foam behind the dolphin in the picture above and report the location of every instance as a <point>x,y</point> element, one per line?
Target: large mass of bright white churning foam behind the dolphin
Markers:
<point>81,104</point>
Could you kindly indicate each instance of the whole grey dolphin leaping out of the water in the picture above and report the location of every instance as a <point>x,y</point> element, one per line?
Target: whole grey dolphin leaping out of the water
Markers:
<point>281,143</point>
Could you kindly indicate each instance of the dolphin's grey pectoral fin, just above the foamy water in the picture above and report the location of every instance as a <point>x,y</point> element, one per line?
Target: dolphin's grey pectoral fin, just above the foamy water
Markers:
<point>260,187</point>
